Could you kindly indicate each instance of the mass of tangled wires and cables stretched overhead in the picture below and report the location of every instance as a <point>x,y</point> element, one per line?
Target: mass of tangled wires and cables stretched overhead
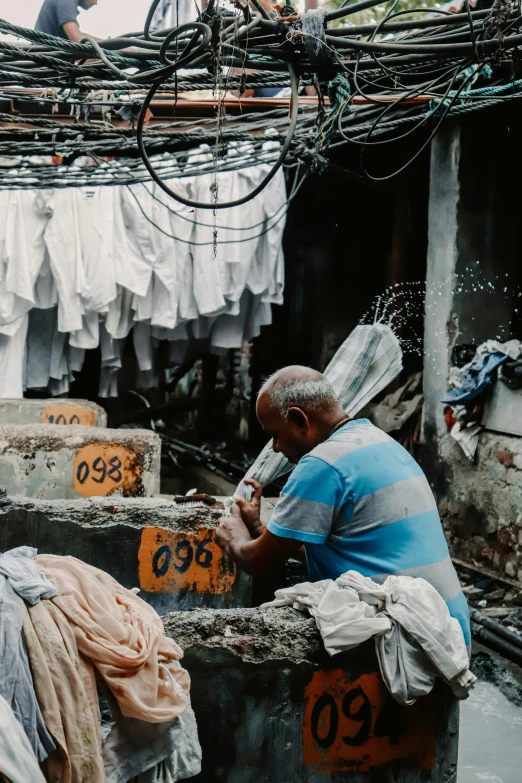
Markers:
<point>385,82</point>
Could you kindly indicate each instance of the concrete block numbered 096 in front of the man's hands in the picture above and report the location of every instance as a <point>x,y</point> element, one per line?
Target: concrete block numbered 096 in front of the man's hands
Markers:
<point>166,550</point>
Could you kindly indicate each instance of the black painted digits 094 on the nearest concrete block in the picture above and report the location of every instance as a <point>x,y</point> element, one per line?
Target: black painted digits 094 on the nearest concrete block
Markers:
<point>356,707</point>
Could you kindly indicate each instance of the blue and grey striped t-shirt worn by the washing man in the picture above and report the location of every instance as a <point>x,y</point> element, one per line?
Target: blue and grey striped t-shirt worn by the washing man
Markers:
<point>360,501</point>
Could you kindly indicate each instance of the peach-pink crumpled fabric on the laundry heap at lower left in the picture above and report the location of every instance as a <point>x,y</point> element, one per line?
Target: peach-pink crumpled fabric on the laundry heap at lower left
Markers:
<point>123,637</point>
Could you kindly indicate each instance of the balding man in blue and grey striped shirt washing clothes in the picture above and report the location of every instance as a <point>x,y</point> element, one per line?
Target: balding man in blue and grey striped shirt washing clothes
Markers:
<point>356,498</point>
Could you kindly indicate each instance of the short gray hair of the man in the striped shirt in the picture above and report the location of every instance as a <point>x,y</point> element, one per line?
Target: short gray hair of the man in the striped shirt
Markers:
<point>316,393</point>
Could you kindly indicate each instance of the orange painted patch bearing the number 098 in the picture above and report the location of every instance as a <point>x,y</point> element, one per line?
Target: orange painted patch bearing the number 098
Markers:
<point>101,469</point>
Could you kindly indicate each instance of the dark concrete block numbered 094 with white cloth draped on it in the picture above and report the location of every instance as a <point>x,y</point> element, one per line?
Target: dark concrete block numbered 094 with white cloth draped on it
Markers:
<point>272,707</point>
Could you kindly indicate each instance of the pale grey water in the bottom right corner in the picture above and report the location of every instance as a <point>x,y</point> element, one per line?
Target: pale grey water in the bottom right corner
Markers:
<point>490,747</point>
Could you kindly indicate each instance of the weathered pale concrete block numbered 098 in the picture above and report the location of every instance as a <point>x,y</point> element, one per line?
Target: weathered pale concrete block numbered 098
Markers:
<point>67,461</point>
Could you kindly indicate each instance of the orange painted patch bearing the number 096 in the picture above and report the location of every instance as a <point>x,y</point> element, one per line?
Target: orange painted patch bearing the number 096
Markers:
<point>171,561</point>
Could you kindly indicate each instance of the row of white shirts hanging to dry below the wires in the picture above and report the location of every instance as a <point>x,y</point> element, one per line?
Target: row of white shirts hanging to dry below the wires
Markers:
<point>81,267</point>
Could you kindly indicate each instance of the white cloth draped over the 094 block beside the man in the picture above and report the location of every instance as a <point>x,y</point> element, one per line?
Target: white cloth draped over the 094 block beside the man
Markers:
<point>416,639</point>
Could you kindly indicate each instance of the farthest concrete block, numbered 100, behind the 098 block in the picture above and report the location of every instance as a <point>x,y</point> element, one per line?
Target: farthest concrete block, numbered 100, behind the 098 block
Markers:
<point>54,411</point>
